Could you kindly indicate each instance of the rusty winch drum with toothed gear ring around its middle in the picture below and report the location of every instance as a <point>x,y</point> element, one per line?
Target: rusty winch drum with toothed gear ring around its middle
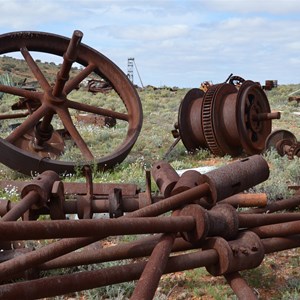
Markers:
<point>226,120</point>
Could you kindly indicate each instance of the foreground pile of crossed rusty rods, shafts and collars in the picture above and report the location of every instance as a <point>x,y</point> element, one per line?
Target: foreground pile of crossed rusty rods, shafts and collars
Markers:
<point>220,238</point>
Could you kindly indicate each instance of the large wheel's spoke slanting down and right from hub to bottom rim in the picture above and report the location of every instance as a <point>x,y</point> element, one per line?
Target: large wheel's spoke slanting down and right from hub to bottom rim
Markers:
<point>68,123</point>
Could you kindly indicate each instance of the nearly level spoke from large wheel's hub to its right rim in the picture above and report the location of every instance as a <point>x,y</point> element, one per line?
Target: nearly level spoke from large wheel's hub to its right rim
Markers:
<point>97,110</point>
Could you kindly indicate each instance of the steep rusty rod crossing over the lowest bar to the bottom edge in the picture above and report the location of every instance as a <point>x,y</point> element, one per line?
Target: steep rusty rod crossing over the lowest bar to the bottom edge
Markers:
<point>149,280</point>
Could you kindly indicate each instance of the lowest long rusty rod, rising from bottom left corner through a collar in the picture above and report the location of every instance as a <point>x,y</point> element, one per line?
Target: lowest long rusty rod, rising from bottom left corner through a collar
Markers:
<point>59,285</point>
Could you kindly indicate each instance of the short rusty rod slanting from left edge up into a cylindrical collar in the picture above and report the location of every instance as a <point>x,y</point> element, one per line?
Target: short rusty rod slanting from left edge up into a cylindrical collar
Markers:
<point>25,203</point>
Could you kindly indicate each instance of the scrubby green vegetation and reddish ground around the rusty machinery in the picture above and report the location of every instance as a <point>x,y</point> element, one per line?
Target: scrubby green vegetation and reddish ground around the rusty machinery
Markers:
<point>276,278</point>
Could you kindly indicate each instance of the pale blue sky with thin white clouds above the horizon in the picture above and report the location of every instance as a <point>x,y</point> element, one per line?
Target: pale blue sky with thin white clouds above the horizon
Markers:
<point>176,43</point>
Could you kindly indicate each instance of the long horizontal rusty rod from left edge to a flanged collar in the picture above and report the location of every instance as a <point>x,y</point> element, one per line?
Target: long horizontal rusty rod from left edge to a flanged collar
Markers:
<point>28,230</point>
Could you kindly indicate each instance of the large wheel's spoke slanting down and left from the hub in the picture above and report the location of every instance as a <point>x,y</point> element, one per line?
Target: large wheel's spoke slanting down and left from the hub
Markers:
<point>28,124</point>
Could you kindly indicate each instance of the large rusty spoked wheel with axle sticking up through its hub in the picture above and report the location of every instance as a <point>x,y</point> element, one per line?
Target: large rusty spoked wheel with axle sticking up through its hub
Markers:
<point>54,100</point>
